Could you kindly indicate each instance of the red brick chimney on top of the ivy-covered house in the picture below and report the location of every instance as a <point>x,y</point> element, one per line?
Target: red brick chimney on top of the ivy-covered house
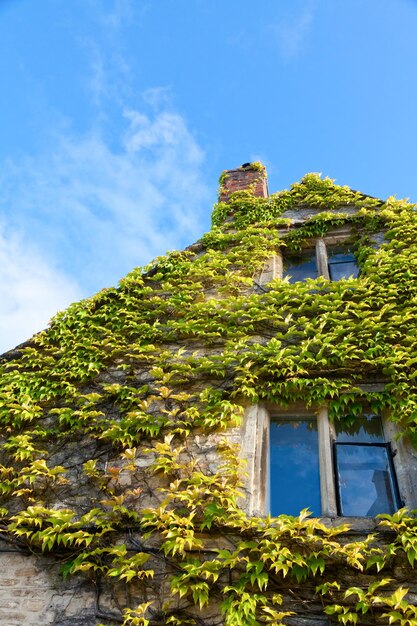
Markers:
<point>247,176</point>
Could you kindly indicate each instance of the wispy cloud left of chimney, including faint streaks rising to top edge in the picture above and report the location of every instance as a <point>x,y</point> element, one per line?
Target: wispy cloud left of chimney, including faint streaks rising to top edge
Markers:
<point>87,207</point>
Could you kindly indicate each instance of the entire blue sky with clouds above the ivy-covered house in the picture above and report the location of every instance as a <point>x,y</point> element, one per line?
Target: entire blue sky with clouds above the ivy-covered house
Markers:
<point>117,117</point>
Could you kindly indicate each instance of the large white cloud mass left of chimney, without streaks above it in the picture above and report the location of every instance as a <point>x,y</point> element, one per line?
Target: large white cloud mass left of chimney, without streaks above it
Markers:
<point>95,207</point>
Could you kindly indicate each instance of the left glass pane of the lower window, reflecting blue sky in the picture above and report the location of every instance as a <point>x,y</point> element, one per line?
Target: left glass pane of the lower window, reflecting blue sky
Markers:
<point>294,466</point>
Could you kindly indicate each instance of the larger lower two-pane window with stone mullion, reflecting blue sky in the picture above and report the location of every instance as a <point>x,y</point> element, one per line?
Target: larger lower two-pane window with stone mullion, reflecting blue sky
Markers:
<point>344,469</point>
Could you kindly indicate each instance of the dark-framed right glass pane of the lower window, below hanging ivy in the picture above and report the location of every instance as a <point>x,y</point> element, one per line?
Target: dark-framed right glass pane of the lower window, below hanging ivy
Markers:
<point>365,480</point>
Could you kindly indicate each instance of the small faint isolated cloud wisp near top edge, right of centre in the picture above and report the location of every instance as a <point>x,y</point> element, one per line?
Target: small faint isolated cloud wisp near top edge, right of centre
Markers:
<point>290,33</point>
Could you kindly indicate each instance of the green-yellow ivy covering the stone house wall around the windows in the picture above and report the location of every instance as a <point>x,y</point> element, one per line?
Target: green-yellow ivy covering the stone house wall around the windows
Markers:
<point>115,421</point>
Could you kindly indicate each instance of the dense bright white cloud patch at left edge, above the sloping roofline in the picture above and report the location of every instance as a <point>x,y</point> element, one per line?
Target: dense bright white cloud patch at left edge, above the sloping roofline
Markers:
<point>30,290</point>
